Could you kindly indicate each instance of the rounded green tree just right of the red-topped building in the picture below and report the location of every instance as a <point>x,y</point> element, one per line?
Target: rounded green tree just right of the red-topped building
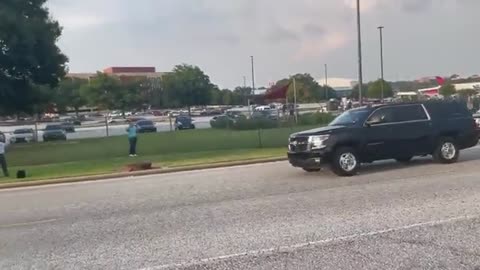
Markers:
<point>187,86</point>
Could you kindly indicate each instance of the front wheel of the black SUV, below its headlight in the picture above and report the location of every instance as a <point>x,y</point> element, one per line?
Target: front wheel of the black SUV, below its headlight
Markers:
<point>345,162</point>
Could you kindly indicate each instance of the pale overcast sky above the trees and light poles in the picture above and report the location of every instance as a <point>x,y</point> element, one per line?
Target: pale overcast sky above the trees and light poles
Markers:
<point>421,37</point>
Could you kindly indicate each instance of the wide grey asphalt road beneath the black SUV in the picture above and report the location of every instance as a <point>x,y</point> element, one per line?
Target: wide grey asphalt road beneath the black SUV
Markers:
<point>270,216</point>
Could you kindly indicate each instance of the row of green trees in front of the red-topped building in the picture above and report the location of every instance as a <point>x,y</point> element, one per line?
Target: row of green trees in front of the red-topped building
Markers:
<point>185,86</point>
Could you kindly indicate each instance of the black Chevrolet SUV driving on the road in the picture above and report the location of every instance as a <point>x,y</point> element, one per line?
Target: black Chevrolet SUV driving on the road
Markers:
<point>394,131</point>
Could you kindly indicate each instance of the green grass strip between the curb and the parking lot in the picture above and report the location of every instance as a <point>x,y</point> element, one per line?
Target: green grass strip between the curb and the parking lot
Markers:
<point>169,149</point>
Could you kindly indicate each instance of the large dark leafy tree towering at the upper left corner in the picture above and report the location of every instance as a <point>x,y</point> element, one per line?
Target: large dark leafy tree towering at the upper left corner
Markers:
<point>29,56</point>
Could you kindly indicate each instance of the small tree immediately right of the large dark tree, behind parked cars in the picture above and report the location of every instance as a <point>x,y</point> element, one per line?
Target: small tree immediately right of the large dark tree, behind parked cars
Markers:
<point>68,94</point>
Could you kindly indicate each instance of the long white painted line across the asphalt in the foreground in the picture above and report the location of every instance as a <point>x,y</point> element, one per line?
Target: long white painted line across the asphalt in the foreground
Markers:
<point>292,248</point>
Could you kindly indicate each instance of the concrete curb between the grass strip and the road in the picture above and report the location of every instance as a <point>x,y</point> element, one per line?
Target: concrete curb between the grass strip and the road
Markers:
<point>138,173</point>
